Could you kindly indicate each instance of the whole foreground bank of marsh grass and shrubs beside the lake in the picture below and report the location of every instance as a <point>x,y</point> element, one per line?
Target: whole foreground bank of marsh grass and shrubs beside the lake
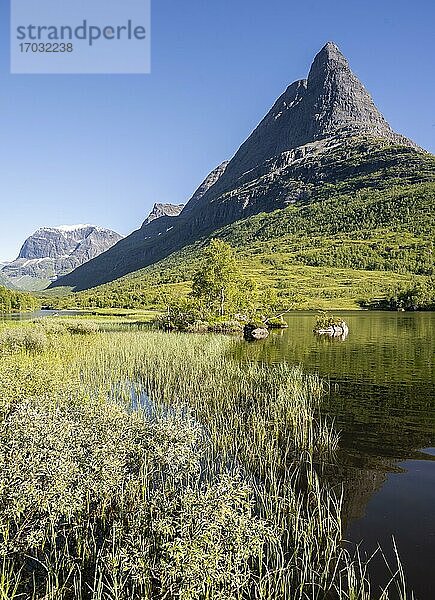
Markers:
<point>142,465</point>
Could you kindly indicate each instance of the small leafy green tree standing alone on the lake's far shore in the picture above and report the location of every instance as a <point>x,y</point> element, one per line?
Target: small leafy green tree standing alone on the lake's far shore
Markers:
<point>215,282</point>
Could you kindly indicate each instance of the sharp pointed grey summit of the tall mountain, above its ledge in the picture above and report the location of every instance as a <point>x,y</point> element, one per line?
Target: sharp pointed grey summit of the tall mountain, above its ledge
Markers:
<point>331,103</point>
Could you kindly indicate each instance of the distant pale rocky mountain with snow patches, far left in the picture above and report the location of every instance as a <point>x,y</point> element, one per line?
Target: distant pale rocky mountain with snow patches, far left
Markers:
<point>54,251</point>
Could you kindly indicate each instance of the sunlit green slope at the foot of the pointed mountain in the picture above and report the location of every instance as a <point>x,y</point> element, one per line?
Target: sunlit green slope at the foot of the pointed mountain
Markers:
<point>355,238</point>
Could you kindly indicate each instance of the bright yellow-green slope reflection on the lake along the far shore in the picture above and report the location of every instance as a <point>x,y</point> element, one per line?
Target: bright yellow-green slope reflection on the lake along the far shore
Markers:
<point>381,347</point>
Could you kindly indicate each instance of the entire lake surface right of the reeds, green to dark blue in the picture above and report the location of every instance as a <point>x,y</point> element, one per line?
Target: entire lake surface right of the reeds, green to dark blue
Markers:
<point>382,398</point>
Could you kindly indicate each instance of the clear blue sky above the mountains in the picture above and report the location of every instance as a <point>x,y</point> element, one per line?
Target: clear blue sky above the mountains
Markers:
<point>102,149</point>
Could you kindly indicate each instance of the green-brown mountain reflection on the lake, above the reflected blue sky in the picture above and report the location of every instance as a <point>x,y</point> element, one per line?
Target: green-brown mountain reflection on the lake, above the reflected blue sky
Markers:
<point>381,379</point>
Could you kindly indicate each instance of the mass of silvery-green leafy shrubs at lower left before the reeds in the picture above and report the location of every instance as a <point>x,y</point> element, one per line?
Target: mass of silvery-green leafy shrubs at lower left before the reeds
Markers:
<point>129,490</point>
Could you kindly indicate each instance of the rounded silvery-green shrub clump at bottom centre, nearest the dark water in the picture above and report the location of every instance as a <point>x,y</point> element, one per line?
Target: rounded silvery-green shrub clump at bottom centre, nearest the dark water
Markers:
<point>219,539</point>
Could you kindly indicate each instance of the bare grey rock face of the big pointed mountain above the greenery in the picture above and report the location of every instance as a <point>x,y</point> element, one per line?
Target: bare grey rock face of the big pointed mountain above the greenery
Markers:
<point>325,129</point>
